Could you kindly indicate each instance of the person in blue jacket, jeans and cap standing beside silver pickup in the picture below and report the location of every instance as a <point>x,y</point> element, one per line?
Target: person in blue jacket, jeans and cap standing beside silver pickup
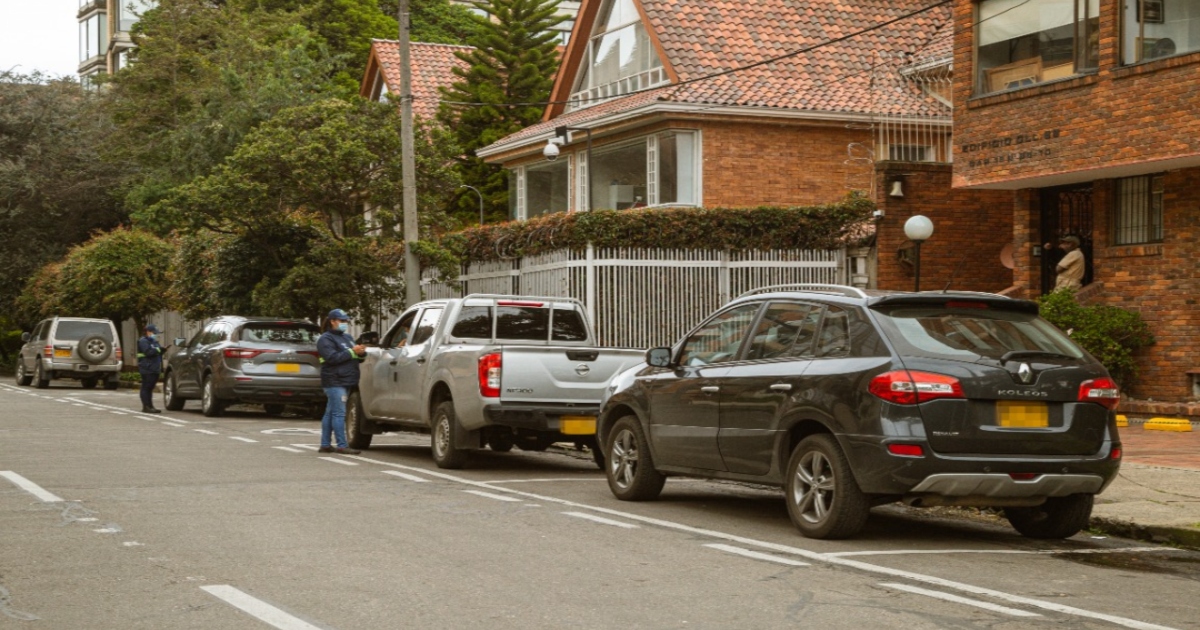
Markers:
<point>340,359</point>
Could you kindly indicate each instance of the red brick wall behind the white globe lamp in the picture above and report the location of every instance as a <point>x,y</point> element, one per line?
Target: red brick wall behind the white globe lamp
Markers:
<point>970,231</point>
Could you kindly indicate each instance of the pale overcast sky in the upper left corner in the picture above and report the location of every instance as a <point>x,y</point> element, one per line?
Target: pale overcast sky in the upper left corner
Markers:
<point>40,35</point>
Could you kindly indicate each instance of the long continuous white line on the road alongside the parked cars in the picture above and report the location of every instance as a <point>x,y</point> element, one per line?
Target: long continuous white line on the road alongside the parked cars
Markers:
<point>796,551</point>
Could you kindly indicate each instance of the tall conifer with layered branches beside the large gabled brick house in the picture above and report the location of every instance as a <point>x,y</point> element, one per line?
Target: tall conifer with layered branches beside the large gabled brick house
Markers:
<point>512,71</point>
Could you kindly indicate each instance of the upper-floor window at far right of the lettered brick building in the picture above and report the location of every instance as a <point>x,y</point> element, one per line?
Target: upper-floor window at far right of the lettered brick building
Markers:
<point>1154,29</point>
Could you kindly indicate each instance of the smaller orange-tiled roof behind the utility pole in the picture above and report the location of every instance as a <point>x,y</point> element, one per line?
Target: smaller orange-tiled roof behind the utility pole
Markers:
<point>433,69</point>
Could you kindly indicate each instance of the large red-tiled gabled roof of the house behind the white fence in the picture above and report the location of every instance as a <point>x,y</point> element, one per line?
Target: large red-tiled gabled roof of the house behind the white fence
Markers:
<point>700,39</point>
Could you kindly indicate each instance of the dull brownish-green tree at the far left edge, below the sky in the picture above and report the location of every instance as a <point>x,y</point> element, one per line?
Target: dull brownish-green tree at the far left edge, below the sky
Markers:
<point>55,187</point>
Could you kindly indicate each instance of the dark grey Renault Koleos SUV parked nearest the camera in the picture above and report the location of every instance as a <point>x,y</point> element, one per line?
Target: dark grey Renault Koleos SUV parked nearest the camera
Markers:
<point>850,399</point>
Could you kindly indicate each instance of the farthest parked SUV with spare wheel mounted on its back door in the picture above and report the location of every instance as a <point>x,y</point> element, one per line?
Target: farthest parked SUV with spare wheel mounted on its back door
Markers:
<point>70,347</point>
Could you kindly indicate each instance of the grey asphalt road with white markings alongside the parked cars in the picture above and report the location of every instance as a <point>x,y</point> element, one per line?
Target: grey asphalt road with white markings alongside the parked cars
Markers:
<point>117,520</point>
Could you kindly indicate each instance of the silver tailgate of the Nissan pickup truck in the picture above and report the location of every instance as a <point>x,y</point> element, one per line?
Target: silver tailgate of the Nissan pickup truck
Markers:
<point>561,375</point>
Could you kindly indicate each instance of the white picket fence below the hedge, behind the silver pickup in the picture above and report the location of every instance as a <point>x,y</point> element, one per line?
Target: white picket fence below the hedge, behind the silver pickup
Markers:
<point>639,298</point>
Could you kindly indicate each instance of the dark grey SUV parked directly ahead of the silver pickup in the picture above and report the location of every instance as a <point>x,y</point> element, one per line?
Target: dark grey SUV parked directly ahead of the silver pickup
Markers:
<point>269,362</point>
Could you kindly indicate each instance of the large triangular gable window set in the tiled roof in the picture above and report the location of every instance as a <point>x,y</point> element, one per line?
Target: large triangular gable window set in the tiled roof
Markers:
<point>620,58</point>
